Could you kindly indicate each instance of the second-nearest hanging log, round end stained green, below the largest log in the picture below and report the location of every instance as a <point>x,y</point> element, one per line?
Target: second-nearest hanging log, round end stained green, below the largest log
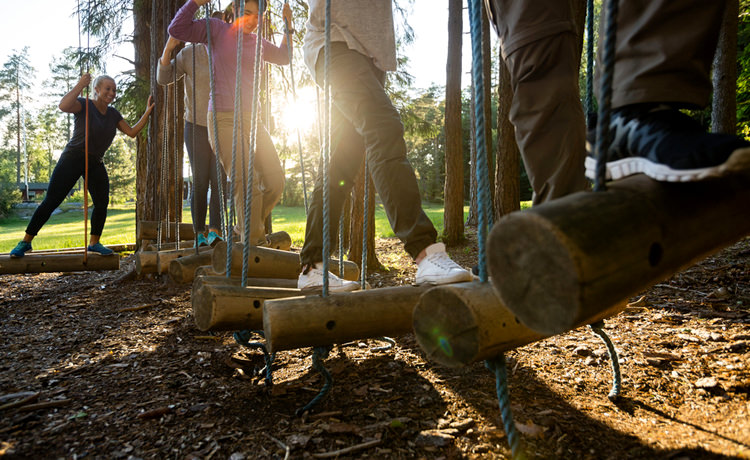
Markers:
<point>459,324</point>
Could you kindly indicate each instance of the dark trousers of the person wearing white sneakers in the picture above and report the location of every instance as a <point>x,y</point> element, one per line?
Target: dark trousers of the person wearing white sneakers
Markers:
<point>363,119</point>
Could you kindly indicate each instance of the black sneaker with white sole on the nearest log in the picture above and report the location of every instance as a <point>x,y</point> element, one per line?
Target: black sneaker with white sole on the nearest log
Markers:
<point>668,146</point>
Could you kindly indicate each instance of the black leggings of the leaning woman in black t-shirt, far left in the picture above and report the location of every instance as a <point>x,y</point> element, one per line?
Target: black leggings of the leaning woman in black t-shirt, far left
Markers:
<point>69,168</point>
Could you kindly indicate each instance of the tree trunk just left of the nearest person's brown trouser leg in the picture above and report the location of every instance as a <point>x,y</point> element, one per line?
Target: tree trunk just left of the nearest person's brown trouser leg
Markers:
<point>507,173</point>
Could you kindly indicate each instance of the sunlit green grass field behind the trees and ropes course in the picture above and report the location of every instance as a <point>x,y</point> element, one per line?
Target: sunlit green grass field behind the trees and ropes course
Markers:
<point>65,228</point>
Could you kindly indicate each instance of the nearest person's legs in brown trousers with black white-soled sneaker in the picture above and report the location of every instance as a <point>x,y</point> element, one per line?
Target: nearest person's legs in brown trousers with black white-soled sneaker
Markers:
<point>663,57</point>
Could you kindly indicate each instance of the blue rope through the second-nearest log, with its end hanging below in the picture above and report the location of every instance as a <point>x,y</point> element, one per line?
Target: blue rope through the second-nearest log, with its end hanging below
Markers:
<point>485,211</point>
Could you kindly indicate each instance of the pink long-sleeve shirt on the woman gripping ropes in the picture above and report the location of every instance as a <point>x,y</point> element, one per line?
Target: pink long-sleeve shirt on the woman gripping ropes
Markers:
<point>224,55</point>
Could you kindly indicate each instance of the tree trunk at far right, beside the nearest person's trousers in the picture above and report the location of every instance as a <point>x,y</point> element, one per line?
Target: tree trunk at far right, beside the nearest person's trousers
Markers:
<point>724,106</point>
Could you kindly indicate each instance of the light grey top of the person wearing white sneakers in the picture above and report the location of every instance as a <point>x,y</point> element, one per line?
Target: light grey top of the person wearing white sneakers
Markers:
<point>366,26</point>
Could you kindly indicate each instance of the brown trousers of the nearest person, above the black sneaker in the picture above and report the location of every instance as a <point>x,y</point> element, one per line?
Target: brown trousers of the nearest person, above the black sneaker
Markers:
<point>664,52</point>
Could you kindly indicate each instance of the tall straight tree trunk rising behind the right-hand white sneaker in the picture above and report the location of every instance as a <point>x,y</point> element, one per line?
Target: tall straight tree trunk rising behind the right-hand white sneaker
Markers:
<point>454,178</point>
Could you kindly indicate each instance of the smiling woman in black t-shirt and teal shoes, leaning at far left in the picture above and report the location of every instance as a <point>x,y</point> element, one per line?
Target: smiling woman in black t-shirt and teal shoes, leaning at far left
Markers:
<point>103,121</point>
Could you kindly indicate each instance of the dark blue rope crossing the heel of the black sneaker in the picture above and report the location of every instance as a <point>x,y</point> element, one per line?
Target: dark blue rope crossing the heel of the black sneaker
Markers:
<point>605,93</point>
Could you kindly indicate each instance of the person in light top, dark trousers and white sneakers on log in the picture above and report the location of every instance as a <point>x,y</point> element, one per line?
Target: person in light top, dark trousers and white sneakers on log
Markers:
<point>363,119</point>
